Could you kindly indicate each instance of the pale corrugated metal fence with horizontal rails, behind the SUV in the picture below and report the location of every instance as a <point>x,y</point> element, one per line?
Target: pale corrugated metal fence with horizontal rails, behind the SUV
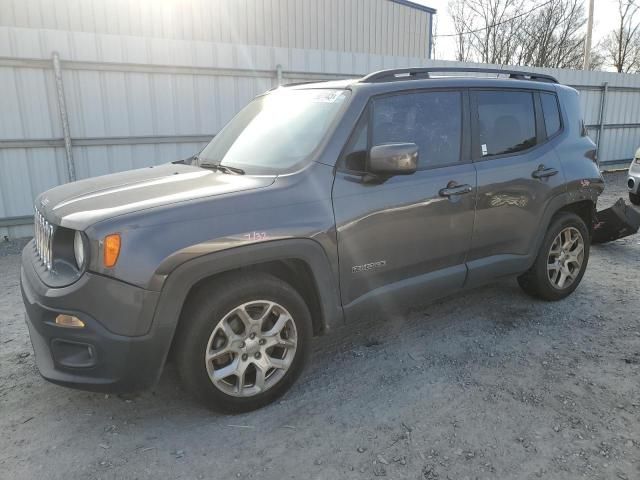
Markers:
<point>107,103</point>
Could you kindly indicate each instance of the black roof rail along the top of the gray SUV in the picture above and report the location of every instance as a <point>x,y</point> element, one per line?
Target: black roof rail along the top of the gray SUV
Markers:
<point>422,73</point>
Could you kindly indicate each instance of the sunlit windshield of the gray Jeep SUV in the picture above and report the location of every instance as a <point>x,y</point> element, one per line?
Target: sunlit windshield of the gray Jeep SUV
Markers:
<point>276,132</point>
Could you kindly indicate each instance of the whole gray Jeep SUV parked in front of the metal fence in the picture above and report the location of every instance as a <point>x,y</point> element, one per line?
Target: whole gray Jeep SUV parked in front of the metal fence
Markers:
<point>316,203</point>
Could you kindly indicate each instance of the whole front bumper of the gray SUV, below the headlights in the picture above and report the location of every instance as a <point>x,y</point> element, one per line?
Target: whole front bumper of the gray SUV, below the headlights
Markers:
<point>95,357</point>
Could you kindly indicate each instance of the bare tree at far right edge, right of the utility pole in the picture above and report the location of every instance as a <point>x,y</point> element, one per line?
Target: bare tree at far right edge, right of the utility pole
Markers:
<point>622,46</point>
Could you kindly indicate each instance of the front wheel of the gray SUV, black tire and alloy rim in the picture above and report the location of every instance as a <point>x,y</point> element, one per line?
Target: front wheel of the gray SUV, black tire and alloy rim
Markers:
<point>222,320</point>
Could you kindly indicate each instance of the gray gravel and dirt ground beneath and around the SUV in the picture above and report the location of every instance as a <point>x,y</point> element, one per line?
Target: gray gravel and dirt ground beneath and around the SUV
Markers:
<point>491,385</point>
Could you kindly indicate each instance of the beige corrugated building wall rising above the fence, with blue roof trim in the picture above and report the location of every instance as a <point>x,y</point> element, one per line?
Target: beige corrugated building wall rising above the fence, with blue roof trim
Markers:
<point>384,27</point>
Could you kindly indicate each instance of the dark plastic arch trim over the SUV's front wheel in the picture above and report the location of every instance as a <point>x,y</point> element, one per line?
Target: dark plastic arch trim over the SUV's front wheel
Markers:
<point>179,282</point>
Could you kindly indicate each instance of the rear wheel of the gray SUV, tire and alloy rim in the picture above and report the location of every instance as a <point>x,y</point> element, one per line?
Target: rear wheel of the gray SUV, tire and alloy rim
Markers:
<point>545,282</point>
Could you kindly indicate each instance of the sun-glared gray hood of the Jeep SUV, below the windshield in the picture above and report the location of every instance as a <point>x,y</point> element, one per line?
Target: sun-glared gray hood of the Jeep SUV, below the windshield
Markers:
<point>80,204</point>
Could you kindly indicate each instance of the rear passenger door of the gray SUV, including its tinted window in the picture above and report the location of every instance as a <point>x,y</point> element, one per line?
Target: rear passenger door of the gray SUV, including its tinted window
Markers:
<point>518,174</point>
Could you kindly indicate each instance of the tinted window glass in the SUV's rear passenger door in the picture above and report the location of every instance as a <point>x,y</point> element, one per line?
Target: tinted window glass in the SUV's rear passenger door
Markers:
<point>506,122</point>
